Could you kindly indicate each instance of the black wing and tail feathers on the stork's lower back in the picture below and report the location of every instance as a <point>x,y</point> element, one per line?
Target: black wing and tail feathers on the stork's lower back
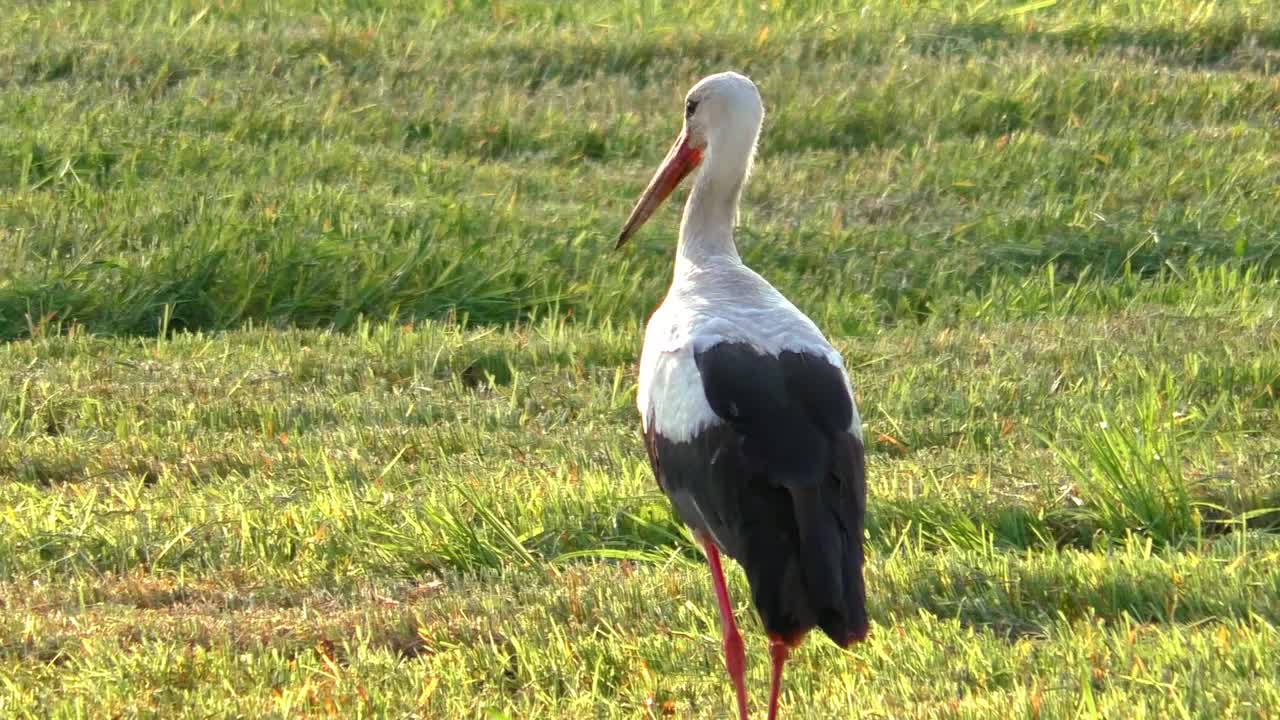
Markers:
<point>779,485</point>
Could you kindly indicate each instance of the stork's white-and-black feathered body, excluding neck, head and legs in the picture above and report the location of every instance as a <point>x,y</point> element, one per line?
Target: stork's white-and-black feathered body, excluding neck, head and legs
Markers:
<point>748,414</point>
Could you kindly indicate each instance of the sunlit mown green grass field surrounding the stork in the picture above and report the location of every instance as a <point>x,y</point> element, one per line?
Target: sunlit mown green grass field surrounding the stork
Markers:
<point>318,370</point>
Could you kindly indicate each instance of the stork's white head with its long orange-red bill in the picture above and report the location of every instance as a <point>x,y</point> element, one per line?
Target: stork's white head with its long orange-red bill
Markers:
<point>723,122</point>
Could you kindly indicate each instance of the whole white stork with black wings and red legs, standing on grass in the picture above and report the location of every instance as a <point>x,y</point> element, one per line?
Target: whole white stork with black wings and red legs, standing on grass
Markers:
<point>747,411</point>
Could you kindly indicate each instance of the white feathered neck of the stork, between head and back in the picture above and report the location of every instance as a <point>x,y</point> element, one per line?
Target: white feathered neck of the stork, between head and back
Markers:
<point>707,227</point>
